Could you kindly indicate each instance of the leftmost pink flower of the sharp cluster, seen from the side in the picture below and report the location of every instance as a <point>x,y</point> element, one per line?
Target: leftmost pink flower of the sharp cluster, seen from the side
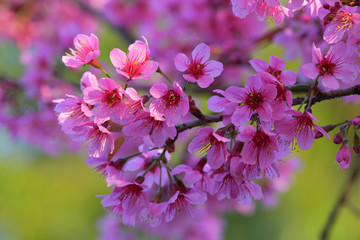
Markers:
<point>72,112</point>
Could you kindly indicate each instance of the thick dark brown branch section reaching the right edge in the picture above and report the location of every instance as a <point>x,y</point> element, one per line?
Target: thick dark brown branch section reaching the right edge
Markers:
<point>322,96</point>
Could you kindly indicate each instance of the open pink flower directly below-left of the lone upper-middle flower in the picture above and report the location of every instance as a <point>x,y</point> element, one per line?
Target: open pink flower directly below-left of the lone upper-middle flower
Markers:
<point>171,104</point>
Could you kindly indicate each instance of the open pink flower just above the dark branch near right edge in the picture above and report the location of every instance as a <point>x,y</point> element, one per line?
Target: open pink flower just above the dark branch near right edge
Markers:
<point>330,67</point>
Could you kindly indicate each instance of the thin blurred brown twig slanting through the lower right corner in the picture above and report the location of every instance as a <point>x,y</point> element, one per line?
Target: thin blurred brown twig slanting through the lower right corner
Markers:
<point>341,201</point>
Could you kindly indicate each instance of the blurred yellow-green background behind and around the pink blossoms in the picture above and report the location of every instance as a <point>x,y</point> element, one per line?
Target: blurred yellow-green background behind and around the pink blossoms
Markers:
<point>52,195</point>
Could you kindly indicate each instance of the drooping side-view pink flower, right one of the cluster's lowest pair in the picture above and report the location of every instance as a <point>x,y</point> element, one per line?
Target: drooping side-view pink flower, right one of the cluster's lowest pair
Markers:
<point>179,203</point>
